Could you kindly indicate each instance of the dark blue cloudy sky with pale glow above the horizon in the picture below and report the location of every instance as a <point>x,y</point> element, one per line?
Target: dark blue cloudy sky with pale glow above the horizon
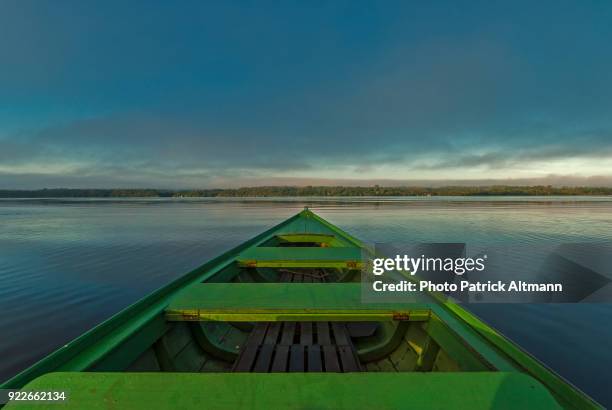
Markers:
<point>209,94</point>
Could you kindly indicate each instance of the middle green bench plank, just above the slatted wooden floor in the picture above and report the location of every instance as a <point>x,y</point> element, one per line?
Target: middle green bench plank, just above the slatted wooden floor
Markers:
<point>260,302</point>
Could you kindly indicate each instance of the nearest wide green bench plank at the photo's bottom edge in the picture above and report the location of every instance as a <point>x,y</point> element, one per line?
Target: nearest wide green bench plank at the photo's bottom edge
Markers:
<point>471,391</point>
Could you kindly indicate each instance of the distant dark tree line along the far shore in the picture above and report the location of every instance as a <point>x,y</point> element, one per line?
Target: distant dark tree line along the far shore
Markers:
<point>324,191</point>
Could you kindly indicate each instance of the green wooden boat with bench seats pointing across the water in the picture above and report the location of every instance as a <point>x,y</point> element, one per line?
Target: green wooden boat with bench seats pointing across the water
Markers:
<point>278,322</point>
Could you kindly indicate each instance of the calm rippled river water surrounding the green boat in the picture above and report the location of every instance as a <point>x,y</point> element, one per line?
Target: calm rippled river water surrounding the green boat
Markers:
<point>66,265</point>
